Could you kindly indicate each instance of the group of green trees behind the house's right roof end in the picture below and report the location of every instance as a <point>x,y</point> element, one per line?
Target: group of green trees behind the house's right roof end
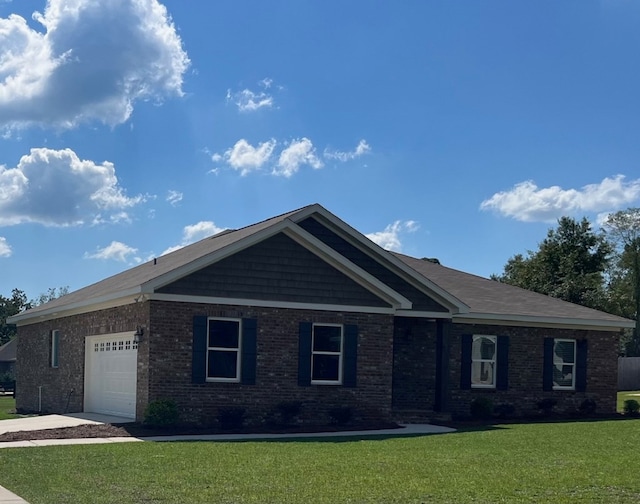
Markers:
<point>598,269</point>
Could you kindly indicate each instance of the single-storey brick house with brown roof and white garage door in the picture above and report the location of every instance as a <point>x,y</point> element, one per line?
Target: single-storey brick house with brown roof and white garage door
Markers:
<point>304,307</point>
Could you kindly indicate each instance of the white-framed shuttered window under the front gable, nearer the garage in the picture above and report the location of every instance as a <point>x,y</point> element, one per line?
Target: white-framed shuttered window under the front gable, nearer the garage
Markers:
<point>223,350</point>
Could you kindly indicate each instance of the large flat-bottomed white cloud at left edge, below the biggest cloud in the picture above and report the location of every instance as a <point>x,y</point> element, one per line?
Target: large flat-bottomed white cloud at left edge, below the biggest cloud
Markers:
<point>57,188</point>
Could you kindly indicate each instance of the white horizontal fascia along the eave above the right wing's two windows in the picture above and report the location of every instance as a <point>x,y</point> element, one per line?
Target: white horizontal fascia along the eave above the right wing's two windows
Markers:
<point>549,322</point>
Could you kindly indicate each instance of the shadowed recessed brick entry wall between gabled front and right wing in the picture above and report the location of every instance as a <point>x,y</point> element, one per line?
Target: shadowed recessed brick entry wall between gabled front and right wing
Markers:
<point>414,366</point>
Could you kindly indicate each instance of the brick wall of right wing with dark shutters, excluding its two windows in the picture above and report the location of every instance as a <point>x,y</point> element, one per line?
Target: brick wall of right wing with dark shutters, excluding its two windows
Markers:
<point>526,365</point>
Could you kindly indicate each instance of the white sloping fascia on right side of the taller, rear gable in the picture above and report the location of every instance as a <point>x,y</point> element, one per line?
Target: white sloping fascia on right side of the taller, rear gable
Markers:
<point>368,247</point>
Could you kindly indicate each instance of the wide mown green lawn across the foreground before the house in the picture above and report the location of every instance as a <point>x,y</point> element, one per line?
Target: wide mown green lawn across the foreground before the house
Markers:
<point>531,463</point>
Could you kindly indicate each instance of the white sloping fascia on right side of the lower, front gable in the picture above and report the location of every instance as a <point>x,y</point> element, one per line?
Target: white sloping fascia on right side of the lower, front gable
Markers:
<point>355,273</point>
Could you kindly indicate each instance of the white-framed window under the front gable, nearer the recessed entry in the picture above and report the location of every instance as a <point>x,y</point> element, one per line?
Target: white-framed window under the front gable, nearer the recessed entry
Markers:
<point>326,354</point>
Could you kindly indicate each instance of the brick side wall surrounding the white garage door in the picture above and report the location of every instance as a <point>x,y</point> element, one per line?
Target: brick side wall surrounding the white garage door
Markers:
<point>63,387</point>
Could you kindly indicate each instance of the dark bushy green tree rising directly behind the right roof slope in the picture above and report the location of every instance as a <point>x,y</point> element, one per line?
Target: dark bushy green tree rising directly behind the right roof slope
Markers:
<point>569,264</point>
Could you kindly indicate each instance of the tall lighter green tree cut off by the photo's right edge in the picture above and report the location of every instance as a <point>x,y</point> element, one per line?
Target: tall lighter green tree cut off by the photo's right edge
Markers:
<point>623,231</point>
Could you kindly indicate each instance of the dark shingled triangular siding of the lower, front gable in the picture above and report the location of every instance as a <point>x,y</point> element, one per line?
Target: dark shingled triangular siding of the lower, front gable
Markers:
<point>275,269</point>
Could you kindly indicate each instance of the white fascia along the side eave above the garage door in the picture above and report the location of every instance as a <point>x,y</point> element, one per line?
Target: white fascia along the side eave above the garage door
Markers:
<point>108,301</point>
